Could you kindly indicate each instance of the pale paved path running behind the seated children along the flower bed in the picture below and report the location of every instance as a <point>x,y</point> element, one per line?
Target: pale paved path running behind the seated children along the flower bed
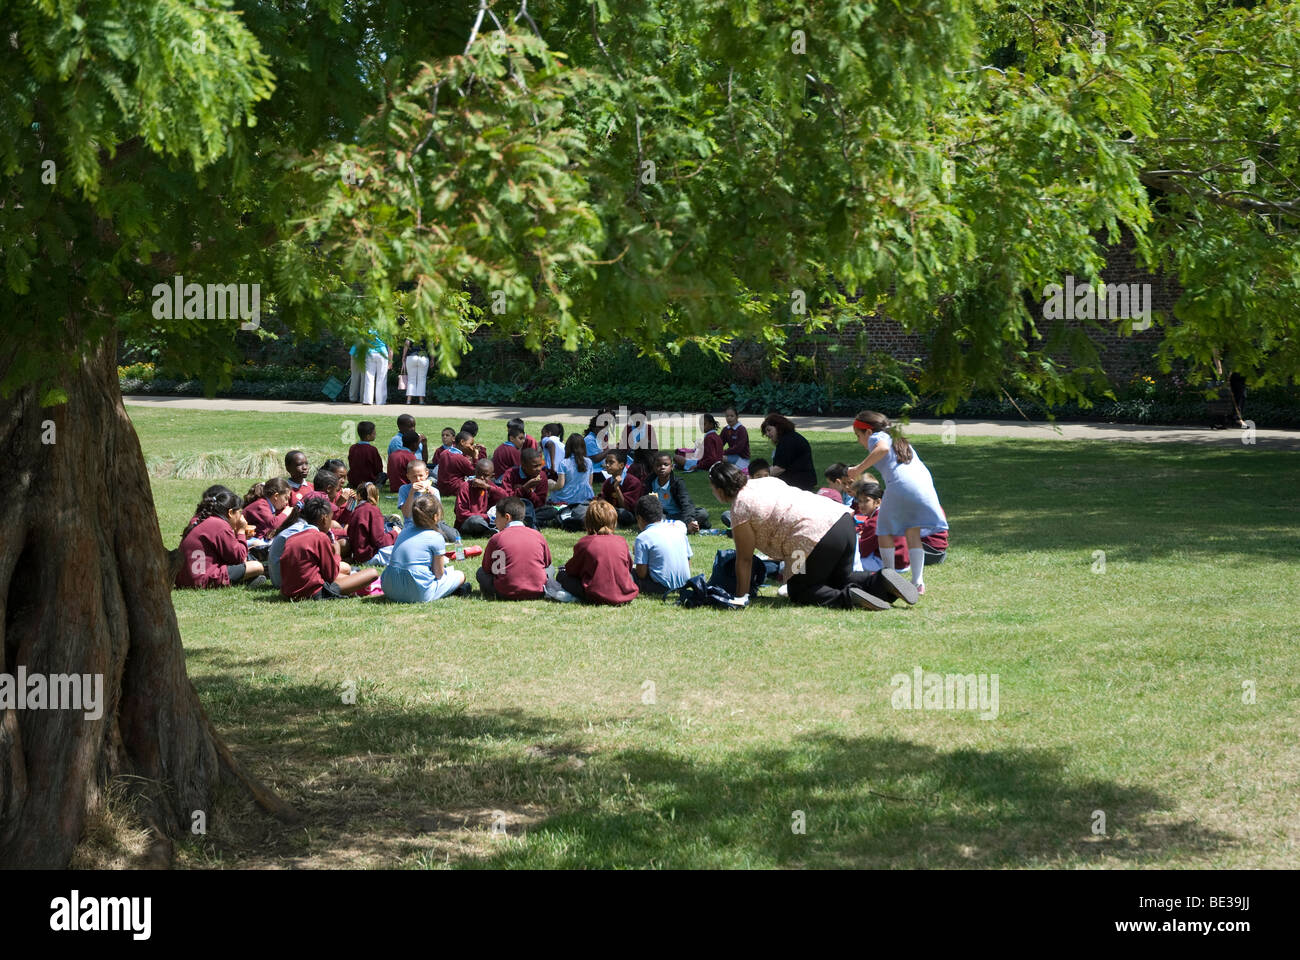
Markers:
<point>1267,439</point>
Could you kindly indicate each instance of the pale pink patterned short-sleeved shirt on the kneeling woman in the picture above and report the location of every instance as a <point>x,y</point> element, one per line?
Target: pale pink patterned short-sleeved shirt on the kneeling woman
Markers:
<point>785,520</point>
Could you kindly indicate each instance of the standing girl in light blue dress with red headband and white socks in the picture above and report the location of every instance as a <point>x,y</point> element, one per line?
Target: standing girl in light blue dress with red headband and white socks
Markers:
<point>911,501</point>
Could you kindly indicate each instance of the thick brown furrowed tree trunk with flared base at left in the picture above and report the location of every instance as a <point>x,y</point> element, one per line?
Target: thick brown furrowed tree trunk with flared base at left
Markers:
<point>85,589</point>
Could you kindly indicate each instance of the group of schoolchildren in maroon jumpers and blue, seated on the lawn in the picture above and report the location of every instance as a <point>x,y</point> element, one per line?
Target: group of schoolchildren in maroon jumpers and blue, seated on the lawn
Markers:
<point>311,530</point>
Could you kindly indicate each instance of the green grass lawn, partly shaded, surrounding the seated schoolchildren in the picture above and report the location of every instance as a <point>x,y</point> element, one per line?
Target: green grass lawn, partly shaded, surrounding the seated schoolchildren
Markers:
<point>1120,691</point>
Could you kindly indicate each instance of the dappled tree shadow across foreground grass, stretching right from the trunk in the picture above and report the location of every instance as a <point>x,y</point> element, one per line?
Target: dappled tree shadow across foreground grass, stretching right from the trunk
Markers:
<point>383,779</point>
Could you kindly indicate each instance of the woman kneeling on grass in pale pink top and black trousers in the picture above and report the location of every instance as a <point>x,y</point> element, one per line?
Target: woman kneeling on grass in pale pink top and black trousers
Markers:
<point>814,537</point>
